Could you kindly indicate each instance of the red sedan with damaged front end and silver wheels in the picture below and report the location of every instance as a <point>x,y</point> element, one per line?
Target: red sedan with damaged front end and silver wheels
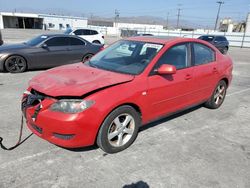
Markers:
<point>129,84</point>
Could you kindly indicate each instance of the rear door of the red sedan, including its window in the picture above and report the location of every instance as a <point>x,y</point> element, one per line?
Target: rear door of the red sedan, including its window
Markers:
<point>205,71</point>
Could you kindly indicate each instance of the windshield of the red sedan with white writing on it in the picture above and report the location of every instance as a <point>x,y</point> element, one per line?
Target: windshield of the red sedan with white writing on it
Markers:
<point>128,57</point>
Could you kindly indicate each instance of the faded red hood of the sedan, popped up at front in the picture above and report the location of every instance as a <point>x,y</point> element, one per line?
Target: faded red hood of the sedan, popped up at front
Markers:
<point>75,80</point>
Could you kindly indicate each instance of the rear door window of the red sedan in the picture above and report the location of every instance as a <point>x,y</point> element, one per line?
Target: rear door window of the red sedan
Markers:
<point>203,54</point>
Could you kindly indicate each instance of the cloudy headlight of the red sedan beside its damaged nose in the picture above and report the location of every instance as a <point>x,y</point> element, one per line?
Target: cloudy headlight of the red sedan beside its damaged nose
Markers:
<point>71,106</point>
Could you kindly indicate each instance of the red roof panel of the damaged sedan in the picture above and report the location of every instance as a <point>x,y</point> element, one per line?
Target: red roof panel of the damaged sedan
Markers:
<point>161,39</point>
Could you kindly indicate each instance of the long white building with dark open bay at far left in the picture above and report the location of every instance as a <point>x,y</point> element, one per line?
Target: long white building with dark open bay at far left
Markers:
<point>39,21</point>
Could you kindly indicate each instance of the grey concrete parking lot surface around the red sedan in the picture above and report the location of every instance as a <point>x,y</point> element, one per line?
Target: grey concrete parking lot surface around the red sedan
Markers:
<point>197,148</point>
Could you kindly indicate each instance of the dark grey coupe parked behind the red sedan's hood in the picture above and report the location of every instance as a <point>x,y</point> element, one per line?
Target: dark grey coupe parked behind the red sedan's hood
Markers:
<point>46,51</point>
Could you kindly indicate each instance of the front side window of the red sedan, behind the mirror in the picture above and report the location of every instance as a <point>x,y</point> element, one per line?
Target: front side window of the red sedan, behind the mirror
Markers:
<point>176,55</point>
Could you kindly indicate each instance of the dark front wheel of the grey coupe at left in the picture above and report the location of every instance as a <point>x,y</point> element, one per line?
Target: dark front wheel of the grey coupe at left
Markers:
<point>15,64</point>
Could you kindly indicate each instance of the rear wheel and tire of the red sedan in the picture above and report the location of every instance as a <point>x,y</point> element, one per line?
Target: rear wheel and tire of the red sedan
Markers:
<point>218,96</point>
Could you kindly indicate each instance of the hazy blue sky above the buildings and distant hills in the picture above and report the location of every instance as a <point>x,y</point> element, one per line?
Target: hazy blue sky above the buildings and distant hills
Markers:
<point>202,12</point>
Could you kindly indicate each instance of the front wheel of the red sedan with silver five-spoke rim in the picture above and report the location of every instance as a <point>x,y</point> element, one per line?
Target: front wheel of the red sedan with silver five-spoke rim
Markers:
<point>106,139</point>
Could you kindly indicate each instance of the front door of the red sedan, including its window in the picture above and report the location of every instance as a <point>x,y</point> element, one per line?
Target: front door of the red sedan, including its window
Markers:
<point>169,93</point>
